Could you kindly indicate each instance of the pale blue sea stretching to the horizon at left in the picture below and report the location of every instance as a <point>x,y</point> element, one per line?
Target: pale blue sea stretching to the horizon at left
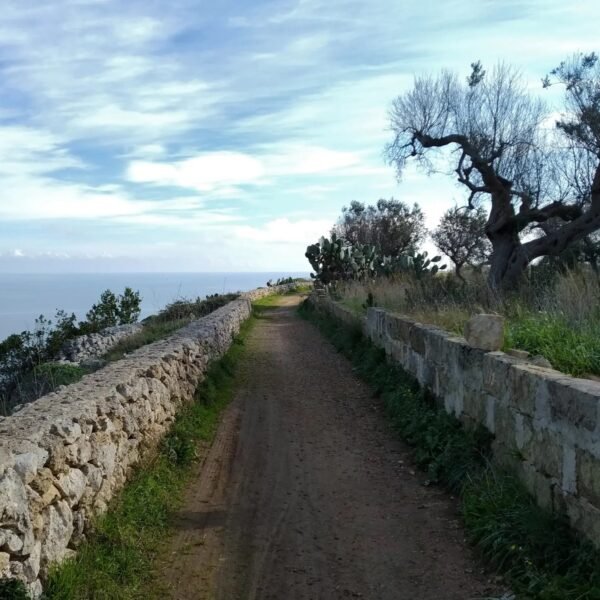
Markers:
<point>26,296</point>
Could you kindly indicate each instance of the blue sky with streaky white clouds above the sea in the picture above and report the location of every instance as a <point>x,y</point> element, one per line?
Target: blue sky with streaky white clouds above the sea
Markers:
<point>187,135</point>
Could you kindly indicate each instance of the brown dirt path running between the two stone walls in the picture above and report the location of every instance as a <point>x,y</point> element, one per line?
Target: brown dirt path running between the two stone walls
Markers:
<point>306,494</point>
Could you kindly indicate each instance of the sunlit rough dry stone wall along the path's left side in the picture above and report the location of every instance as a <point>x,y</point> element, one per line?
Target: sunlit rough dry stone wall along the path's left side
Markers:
<point>65,455</point>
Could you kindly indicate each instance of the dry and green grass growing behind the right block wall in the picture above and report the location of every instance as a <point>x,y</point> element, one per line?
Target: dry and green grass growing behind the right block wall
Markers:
<point>556,316</point>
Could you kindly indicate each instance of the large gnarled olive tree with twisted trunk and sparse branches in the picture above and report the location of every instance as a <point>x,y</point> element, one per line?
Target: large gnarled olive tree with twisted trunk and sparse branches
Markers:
<point>493,134</point>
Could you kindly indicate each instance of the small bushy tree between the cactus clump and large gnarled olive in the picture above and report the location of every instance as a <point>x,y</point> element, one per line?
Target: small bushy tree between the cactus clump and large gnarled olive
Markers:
<point>460,235</point>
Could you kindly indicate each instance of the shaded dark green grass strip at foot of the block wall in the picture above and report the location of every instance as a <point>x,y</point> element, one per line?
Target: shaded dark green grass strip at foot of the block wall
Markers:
<point>537,551</point>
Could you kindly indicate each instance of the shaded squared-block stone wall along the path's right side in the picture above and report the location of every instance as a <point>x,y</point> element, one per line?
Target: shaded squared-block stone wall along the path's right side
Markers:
<point>546,424</point>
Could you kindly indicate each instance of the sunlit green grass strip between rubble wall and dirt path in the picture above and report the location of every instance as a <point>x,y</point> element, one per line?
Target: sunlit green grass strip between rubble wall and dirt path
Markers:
<point>117,561</point>
